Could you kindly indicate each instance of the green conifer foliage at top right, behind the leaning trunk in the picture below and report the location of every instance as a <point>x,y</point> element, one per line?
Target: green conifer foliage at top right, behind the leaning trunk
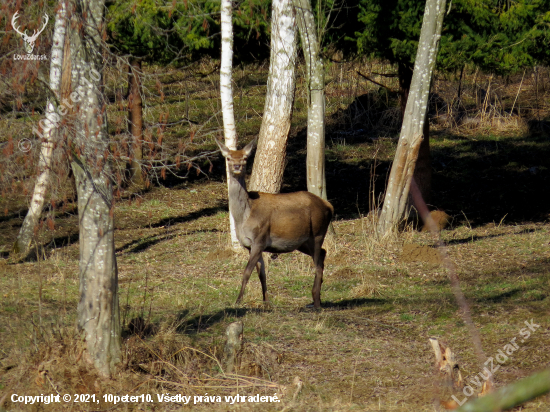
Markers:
<point>500,37</point>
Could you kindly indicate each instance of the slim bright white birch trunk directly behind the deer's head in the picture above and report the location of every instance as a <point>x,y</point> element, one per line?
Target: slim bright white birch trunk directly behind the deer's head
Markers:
<point>226,93</point>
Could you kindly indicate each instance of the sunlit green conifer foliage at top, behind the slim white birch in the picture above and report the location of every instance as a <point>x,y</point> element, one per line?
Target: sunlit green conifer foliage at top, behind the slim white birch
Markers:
<point>163,31</point>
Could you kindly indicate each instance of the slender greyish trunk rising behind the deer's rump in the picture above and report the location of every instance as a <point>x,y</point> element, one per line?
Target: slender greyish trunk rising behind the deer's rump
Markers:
<point>315,162</point>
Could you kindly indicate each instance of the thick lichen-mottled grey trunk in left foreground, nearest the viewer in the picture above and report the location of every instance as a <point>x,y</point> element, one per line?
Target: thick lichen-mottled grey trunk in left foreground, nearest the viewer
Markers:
<point>98,310</point>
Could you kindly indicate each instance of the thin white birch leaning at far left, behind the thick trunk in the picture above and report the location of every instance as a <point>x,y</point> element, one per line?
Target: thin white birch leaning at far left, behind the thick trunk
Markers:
<point>48,136</point>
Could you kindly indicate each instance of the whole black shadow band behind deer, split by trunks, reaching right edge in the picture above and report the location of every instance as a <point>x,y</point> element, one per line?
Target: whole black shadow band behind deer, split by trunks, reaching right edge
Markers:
<point>486,177</point>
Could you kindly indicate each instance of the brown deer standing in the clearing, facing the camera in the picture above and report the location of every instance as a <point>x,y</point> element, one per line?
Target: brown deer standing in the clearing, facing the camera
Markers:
<point>276,223</point>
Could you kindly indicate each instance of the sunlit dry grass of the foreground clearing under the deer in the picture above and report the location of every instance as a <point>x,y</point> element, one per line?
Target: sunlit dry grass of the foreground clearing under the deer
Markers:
<point>366,350</point>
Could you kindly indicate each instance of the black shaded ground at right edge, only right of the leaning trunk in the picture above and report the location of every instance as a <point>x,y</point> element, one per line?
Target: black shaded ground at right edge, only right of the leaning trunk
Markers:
<point>491,179</point>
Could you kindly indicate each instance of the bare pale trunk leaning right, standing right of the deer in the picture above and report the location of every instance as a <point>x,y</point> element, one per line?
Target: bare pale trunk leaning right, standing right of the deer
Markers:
<point>414,120</point>
